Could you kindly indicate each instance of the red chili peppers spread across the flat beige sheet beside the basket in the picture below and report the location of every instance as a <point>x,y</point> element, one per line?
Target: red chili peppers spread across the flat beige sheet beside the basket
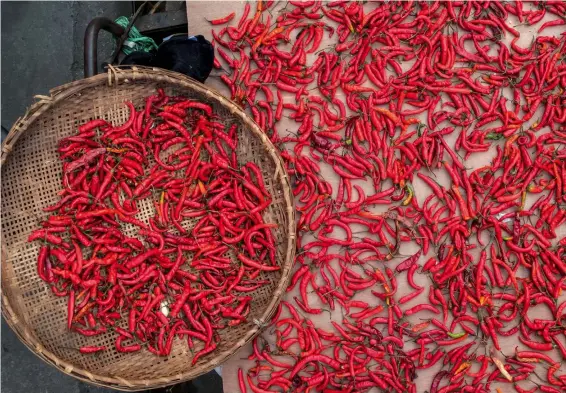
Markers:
<point>405,97</point>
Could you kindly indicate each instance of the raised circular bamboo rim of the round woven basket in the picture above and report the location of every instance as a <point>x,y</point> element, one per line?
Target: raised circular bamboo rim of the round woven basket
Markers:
<point>115,77</point>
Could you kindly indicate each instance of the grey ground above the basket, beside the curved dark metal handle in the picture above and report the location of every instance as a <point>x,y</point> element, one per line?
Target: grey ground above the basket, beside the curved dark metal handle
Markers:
<point>42,47</point>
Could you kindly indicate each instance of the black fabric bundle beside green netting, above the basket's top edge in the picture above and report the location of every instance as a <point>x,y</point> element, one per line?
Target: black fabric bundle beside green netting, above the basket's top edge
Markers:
<point>190,56</point>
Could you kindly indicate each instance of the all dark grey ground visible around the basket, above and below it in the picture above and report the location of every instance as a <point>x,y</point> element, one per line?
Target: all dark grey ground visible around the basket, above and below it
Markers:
<point>42,47</point>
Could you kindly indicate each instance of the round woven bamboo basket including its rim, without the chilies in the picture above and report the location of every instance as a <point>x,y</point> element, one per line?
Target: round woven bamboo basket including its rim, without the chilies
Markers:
<point>31,178</point>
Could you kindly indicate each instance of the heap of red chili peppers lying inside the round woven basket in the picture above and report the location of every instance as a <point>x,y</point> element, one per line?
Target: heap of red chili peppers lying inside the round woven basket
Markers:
<point>187,271</point>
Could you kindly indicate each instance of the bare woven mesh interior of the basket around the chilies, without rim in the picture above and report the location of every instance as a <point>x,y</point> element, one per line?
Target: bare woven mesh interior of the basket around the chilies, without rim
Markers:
<point>31,179</point>
